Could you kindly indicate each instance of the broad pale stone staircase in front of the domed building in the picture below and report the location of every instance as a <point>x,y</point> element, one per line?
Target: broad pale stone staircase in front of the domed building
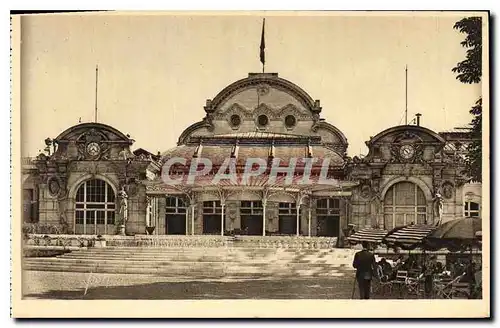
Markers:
<point>198,262</point>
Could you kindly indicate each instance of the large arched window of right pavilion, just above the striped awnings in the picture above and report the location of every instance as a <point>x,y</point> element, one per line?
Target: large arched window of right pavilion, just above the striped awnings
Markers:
<point>404,203</point>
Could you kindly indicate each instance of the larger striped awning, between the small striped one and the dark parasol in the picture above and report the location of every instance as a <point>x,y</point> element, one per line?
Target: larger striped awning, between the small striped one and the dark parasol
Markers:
<point>409,236</point>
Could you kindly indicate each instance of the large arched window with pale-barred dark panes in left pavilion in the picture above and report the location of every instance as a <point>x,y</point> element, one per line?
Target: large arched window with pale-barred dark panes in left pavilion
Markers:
<point>95,208</point>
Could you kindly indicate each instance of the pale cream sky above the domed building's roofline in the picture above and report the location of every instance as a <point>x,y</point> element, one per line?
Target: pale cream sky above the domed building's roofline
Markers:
<point>157,70</point>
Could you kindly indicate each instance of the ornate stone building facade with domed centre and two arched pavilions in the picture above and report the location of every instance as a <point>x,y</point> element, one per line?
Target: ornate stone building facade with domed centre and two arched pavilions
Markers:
<point>90,181</point>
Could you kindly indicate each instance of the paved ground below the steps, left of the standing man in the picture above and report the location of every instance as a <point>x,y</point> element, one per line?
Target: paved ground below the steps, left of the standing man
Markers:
<point>71,285</point>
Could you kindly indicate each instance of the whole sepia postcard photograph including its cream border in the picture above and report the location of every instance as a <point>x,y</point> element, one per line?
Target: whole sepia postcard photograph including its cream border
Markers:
<point>251,164</point>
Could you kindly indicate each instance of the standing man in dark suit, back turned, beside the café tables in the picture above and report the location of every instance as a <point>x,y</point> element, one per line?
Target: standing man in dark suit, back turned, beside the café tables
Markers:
<point>365,265</point>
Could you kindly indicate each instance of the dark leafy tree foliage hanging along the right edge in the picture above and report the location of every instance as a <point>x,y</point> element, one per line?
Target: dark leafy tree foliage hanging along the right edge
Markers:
<point>470,71</point>
